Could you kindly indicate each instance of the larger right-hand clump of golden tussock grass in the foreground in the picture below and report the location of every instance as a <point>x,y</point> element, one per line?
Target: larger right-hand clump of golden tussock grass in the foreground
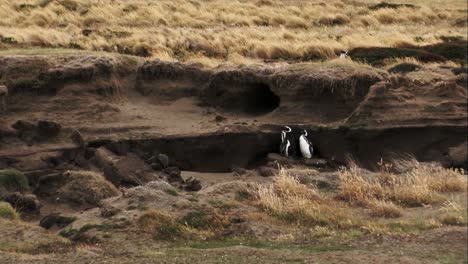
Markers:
<point>419,184</point>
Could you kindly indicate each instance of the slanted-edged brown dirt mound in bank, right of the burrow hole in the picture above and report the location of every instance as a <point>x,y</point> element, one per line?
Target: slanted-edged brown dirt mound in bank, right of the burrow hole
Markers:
<point>403,101</point>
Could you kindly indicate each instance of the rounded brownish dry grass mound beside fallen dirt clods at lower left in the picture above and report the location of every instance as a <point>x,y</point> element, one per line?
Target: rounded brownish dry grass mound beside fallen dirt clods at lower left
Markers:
<point>86,187</point>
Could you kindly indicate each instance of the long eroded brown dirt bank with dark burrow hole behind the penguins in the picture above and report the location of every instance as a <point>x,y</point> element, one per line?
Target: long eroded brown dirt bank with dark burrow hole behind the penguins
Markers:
<point>231,116</point>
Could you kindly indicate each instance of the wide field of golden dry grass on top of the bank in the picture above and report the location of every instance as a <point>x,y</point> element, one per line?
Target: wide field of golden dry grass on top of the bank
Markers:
<point>216,31</point>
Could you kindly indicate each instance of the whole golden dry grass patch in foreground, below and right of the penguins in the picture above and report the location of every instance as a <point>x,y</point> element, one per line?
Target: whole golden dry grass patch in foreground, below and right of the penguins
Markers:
<point>384,194</point>
